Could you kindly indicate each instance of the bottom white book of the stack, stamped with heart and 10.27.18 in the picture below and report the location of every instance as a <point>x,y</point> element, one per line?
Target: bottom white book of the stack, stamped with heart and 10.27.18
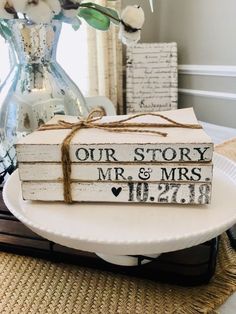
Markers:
<point>121,192</point>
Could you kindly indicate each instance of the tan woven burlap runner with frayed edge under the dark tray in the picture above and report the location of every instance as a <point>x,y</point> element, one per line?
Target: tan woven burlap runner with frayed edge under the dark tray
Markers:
<point>30,285</point>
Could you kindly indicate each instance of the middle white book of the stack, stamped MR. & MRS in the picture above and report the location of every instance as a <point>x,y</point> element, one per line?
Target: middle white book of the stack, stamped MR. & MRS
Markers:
<point>122,172</point>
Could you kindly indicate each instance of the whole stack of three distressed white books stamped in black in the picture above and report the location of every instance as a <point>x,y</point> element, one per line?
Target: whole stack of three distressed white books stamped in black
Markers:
<point>120,167</point>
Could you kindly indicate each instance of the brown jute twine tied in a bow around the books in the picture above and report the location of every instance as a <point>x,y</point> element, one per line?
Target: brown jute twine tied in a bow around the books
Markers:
<point>120,126</point>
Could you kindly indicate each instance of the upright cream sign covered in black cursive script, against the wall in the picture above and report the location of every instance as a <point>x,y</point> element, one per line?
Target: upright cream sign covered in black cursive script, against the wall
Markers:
<point>151,77</point>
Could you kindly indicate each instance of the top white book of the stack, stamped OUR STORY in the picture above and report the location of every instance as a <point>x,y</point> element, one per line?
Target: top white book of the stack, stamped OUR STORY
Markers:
<point>97,146</point>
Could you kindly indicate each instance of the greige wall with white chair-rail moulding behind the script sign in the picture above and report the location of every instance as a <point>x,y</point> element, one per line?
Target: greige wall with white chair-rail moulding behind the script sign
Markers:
<point>205,31</point>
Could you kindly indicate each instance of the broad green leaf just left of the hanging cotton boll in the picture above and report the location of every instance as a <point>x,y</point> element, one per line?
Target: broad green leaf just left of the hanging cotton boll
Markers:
<point>95,19</point>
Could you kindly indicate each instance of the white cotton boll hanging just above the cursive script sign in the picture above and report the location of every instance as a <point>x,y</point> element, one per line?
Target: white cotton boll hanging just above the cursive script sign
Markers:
<point>132,20</point>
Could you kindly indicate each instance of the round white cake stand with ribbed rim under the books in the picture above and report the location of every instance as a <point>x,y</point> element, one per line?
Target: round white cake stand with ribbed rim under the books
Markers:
<point>127,229</point>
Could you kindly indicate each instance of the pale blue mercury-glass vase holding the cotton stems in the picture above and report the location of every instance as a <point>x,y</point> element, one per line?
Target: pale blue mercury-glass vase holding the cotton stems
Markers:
<point>36,89</point>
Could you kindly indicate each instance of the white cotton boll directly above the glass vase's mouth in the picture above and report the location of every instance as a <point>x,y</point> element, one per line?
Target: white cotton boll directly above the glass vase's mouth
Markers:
<point>39,11</point>
